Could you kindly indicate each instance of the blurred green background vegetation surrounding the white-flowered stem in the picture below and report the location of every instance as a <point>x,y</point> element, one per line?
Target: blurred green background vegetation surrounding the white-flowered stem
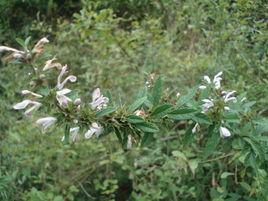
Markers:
<point>116,45</point>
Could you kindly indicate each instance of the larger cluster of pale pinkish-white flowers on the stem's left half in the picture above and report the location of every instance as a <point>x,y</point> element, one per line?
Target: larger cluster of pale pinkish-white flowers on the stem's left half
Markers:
<point>34,100</point>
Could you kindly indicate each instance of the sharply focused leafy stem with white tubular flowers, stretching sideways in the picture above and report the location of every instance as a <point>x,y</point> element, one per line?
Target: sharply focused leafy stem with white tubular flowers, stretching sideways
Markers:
<point>207,108</point>
